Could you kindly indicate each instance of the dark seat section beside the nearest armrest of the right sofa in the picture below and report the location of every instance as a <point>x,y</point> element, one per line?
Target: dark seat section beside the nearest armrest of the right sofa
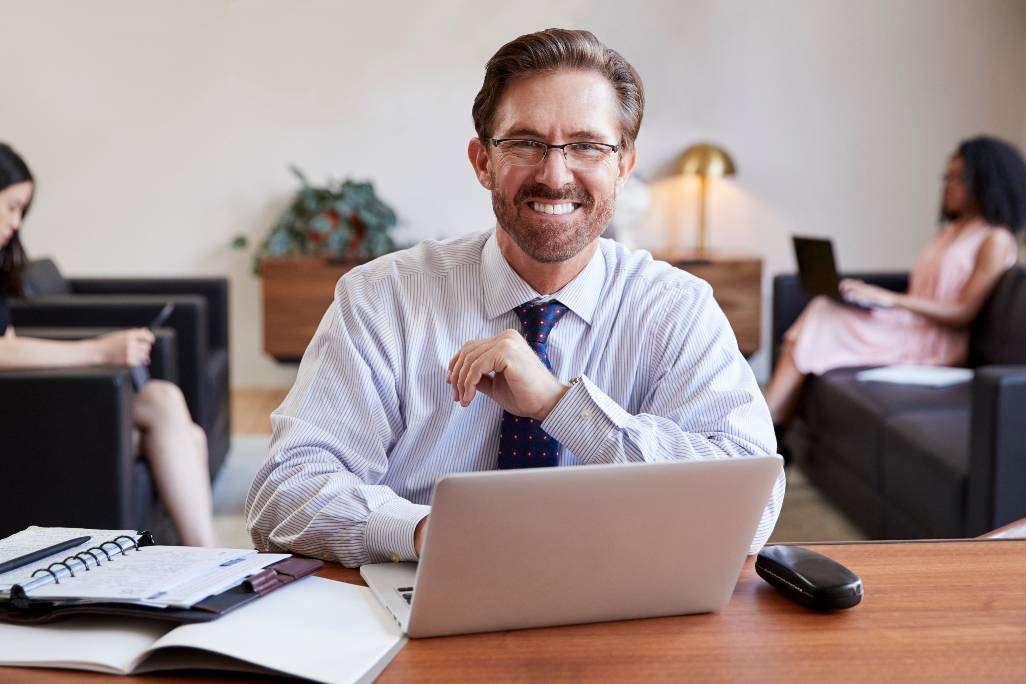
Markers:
<point>926,468</point>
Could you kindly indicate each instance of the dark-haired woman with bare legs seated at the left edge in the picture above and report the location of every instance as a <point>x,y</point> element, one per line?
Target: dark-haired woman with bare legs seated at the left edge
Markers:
<point>174,446</point>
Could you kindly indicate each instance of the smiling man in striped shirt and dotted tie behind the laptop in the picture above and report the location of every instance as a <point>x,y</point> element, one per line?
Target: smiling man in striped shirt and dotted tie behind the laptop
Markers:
<point>421,367</point>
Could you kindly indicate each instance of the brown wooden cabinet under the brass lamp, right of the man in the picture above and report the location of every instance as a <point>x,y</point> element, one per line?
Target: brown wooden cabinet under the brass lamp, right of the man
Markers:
<point>737,286</point>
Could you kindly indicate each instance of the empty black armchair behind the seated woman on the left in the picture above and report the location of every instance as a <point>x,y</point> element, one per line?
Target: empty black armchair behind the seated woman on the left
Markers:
<point>200,320</point>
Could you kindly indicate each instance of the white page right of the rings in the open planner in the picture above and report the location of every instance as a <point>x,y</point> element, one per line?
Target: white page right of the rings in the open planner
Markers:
<point>138,576</point>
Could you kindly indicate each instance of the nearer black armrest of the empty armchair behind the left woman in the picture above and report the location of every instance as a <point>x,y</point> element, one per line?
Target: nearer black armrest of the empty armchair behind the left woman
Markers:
<point>188,320</point>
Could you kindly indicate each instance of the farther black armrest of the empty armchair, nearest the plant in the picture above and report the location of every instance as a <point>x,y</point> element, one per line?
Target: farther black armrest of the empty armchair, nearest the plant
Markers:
<point>215,291</point>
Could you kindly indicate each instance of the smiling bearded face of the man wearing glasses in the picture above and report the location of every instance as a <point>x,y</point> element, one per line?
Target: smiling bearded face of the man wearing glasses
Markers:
<point>549,211</point>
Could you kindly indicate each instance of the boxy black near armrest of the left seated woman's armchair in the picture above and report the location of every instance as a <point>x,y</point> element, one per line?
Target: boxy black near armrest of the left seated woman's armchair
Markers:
<point>68,449</point>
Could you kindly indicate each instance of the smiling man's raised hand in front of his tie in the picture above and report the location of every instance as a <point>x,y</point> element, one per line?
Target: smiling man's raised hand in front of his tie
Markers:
<point>506,369</point>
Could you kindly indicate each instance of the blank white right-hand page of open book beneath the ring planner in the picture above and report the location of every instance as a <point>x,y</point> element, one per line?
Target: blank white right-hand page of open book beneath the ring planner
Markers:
<point>320,629</point>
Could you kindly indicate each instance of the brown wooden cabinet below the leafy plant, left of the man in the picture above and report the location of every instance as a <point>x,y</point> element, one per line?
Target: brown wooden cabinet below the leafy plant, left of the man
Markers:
<point>297,293</point>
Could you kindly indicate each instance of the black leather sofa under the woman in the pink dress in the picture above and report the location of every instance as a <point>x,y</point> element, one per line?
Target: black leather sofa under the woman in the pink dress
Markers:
<point>907,462</point>
